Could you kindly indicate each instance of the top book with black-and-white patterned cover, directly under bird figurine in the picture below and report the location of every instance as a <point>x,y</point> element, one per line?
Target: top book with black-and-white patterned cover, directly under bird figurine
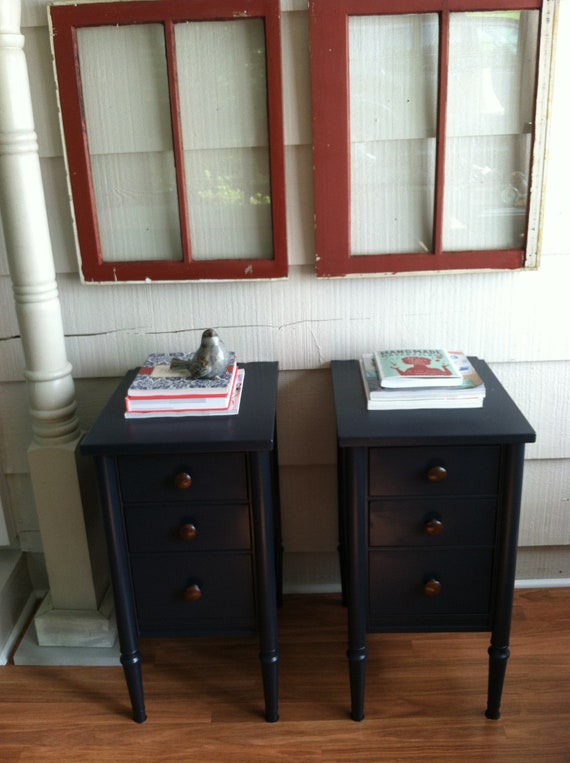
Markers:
<point>156,379</point>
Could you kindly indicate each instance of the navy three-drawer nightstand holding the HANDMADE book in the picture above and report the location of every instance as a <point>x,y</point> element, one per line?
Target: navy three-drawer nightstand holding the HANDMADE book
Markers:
<point>429,504</point>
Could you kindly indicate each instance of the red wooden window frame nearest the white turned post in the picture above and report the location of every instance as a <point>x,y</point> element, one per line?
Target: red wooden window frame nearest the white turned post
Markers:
<point>65,20</point>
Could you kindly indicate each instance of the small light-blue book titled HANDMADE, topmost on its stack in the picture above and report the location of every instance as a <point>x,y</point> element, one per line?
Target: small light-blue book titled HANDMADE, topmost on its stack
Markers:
<point>416,368</point>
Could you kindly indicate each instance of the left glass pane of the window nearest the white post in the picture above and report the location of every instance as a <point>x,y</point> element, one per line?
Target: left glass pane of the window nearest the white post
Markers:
<point>127,117</point>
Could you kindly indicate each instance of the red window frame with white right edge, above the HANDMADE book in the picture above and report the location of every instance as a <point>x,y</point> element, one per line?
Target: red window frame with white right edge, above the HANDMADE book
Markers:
<point>330,77</point>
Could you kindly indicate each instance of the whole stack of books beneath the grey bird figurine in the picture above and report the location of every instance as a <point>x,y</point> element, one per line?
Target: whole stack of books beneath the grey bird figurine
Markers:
<point>161,391</point>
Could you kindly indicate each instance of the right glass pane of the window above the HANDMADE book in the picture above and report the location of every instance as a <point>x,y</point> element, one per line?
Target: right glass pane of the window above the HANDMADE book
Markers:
<point>491,90</point>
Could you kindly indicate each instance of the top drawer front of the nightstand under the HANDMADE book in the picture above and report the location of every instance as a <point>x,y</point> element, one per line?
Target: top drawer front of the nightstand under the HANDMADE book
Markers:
<point>467,470</point>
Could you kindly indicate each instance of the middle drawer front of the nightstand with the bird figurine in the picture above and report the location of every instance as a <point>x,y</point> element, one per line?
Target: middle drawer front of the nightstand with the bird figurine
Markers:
<point>173,527</point>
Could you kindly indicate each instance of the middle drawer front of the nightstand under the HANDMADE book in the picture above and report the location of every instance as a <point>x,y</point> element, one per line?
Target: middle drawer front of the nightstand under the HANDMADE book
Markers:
<point>433,522</point>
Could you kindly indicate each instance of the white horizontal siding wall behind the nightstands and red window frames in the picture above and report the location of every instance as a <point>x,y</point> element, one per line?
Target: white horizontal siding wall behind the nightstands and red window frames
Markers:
<point>516,321</point>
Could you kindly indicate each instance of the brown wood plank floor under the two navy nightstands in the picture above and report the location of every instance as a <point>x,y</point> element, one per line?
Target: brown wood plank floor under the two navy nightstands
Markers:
<point>425,698</point>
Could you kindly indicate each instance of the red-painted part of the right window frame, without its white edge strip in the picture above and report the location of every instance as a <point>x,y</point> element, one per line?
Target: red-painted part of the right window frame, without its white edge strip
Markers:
<point>328,30</point>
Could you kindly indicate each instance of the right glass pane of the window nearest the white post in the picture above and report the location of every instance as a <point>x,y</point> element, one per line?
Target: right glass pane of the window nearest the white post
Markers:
<point>223,105</point>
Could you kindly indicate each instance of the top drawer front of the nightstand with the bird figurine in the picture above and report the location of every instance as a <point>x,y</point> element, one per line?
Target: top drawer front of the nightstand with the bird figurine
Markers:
<point>196,476</point>
